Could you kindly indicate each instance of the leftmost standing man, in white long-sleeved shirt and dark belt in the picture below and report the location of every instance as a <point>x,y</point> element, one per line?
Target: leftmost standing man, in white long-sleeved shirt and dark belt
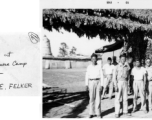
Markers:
<point>94,83</point>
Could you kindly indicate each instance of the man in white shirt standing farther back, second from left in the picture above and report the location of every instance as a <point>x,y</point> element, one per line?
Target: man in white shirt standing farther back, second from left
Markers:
<point>107,73</point>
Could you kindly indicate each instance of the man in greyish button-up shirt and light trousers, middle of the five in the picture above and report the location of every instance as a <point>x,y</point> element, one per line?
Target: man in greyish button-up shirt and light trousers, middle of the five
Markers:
<point>121,85</point>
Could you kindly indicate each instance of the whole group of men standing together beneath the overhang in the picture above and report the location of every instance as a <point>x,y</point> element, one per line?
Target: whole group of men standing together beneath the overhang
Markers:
<point>127,75</point>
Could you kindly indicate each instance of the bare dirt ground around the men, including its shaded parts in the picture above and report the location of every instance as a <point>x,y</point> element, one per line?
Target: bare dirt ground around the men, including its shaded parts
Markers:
<point>75,103</point>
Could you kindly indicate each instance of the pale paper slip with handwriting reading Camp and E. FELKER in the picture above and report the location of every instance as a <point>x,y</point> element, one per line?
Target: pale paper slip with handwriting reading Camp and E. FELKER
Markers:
<point>19,64</point>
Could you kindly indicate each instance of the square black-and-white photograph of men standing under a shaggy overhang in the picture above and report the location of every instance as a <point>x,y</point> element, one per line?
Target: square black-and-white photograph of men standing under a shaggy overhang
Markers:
<point>97,63</point>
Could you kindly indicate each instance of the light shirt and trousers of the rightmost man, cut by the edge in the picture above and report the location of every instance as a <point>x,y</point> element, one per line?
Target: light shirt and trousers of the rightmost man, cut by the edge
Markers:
<point>149,85</point>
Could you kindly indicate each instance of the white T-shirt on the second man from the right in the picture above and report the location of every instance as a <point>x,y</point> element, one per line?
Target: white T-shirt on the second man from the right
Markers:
<point>138,73</point>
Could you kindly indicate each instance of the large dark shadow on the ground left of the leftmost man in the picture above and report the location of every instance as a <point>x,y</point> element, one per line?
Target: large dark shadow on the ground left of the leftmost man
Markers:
<point>59,99</point>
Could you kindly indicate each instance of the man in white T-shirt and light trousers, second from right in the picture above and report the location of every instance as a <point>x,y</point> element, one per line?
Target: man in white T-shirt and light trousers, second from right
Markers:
<point>139,76</point>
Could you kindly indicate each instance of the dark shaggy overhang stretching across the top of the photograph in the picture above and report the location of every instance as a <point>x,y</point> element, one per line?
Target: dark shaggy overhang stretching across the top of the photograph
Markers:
<point>107,23</point>
